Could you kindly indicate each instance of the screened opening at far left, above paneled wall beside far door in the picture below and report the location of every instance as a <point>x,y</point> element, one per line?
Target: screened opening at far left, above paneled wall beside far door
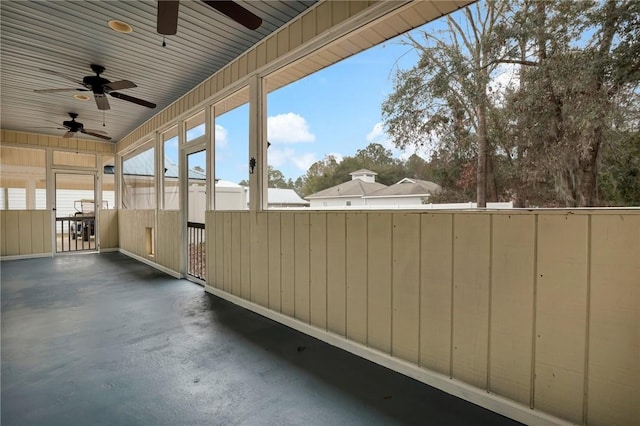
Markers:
<point>22,178</point>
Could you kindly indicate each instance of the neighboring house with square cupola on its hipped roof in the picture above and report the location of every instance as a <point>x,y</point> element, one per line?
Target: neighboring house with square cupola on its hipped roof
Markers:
<point>363,182</point>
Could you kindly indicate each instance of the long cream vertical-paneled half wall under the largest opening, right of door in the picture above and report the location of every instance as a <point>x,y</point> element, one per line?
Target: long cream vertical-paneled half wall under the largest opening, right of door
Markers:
<point>541,308</point>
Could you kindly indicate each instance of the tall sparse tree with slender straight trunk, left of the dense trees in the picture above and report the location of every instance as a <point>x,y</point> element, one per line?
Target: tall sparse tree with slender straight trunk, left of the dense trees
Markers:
<point>444,98</point>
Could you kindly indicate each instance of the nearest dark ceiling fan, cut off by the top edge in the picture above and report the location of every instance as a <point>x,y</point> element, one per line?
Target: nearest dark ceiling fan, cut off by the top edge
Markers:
<point>168,14</point>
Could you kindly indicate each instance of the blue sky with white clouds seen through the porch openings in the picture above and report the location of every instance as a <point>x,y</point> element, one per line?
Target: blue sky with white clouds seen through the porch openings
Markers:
<point>336,111</point>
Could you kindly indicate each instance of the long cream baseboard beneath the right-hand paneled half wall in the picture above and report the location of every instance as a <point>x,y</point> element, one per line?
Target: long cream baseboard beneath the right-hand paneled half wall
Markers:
<point>453,387</point>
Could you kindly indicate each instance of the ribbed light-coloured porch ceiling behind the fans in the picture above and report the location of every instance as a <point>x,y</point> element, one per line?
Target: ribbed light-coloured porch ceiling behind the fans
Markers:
<point>68,36</point>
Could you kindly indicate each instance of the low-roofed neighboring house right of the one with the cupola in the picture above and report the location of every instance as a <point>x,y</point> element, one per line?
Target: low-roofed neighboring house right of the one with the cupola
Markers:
<point>407,192</point>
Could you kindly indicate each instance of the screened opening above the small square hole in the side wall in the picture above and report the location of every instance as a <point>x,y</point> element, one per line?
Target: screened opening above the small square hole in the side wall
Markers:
<point>138,180</point>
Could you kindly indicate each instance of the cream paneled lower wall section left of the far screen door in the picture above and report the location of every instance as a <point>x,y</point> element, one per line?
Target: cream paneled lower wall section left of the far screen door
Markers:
<point>25,232</point>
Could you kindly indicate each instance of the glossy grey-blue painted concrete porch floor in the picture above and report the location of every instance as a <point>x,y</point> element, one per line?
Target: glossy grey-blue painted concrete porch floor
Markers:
<point>101,339</point>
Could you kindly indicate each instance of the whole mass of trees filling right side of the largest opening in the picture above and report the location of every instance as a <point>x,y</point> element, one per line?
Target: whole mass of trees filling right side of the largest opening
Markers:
<point>547,139</point>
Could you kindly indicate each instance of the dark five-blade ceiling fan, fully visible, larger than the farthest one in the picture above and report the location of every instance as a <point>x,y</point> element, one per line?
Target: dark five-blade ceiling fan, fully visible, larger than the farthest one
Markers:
<point>100,86</point>
